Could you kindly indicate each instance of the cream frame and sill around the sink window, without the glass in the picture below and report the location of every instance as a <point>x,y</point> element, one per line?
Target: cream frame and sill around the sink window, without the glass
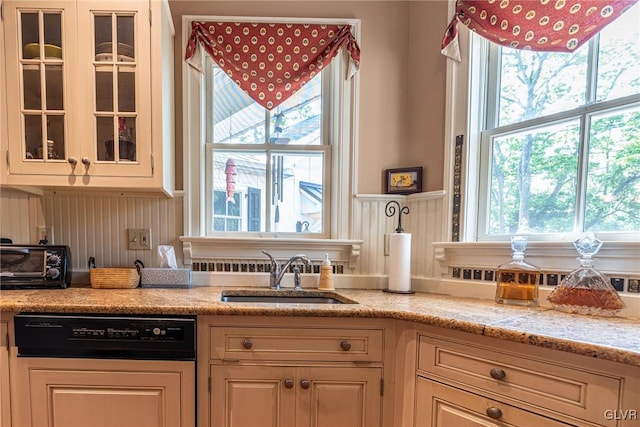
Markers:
<point>344,146</point>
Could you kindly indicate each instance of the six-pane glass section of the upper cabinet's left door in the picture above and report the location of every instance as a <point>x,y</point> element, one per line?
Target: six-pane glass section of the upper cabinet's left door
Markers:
<point>42,68</point>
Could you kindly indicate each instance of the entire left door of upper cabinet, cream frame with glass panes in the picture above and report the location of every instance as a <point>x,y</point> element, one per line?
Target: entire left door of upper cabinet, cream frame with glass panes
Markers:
<point>39,57</point>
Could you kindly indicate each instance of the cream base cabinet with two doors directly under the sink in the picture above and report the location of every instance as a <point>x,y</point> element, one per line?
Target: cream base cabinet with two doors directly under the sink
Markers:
<point>291,372</point>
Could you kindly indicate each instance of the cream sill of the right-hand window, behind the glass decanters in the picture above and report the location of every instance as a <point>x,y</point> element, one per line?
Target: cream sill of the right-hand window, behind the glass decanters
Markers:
<point>617,257</point>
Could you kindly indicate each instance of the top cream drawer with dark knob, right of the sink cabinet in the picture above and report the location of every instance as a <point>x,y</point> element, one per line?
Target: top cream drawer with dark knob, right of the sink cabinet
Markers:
<point>565,390</point>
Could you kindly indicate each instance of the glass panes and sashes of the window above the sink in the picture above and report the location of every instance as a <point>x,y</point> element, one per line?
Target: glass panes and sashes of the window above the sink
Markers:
<point>267,167</point>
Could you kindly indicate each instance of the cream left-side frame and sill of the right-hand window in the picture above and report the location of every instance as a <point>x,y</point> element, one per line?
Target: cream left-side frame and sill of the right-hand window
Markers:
<point>619,254</point>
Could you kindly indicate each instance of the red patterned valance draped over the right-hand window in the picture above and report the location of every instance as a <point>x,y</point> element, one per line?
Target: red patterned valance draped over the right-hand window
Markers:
<point>540,25</point>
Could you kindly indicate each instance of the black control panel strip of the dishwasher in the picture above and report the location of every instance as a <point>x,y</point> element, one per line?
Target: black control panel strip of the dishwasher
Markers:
<point>105,336</point>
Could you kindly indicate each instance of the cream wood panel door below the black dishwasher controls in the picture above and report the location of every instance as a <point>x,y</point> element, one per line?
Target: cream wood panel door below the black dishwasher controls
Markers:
<point>102,393</point>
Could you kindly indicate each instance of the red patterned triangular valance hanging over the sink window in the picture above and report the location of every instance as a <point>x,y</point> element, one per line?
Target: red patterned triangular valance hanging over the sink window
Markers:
<point>270,62</point>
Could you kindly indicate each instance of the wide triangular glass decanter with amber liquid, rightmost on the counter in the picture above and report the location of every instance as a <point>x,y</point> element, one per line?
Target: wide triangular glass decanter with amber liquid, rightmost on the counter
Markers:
<point>586,290</point>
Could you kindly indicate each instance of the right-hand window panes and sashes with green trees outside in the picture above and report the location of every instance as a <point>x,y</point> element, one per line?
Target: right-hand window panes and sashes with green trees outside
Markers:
<point>560,144</point>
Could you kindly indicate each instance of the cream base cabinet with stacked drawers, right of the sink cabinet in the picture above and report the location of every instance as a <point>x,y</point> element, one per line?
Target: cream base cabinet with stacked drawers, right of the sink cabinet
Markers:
<point>462,379</point>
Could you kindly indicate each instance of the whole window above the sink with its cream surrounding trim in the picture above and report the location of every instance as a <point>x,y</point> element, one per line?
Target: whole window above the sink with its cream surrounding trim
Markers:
<point>291,167</point>
